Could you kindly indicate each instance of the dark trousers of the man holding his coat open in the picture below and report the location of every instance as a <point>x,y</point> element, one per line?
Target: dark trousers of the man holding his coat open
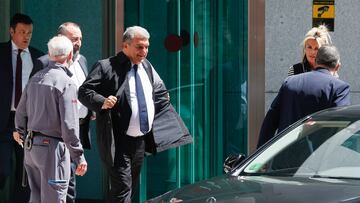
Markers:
<point>124,175</point>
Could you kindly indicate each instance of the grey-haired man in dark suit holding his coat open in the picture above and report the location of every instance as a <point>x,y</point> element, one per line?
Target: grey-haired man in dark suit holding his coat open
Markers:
<point>133,112</point>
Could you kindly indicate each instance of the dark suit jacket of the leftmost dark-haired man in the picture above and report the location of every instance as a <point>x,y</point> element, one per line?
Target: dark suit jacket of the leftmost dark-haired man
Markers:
<point>6,83</point>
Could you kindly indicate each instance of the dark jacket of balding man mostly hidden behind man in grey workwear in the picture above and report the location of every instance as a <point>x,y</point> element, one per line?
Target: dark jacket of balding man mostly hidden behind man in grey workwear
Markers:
<point>85,136</point>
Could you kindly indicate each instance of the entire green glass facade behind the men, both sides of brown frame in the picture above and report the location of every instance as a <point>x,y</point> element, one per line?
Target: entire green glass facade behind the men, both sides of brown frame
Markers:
<point>199,48</point>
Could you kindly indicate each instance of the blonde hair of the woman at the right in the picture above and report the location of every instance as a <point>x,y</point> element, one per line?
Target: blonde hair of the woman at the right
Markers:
<point>320,34</point>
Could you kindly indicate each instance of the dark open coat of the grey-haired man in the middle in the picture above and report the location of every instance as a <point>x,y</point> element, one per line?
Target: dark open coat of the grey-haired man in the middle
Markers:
<point>109,77</point>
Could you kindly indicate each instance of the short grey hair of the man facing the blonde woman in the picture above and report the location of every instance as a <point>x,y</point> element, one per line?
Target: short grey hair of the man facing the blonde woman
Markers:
<point>328,55</point>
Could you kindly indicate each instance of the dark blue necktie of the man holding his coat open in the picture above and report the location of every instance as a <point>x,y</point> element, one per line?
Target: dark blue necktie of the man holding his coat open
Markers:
<point>144,124</point>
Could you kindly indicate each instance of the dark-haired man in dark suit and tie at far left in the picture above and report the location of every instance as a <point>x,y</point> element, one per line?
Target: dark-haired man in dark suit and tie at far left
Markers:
<point>17,60</point>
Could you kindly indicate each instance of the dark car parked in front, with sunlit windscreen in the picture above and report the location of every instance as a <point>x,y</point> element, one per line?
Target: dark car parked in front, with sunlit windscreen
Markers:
<point>317,159</point>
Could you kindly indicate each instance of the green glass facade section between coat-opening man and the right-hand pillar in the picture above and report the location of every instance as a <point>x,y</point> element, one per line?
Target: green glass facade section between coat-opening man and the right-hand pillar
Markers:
<point>207,79</point>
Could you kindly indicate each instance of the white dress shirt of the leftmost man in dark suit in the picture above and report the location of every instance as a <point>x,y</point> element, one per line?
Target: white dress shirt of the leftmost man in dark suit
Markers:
<point>27,66</point>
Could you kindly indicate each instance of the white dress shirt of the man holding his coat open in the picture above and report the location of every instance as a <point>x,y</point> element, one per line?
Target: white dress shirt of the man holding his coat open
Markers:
<point>134,125</point>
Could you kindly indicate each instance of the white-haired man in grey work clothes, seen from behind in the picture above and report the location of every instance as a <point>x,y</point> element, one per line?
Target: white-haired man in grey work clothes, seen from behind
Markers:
<point>47,115</point>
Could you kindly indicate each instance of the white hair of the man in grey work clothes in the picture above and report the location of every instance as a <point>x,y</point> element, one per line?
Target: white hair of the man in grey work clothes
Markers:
<point>59,47</point>
